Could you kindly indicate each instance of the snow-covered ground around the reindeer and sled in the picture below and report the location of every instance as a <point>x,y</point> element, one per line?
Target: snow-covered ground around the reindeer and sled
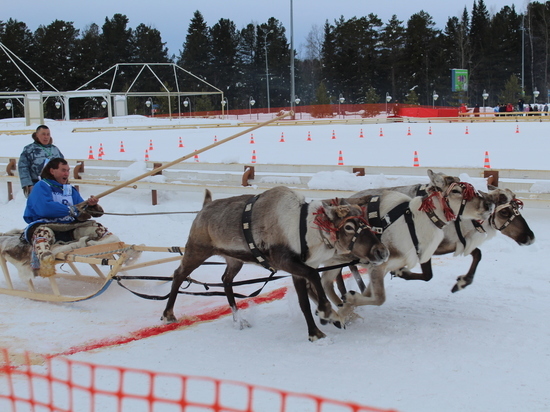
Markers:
<point>486,348</point>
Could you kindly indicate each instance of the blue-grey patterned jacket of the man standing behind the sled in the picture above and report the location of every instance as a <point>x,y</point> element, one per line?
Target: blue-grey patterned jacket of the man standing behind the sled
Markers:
<point>32,160</point>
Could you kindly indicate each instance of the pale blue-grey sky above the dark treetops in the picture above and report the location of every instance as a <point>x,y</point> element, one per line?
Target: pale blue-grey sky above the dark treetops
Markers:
<point>172,17</point>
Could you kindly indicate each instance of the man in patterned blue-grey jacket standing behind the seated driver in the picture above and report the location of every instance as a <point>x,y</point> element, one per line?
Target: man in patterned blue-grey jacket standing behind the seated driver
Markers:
<point>35,156</point>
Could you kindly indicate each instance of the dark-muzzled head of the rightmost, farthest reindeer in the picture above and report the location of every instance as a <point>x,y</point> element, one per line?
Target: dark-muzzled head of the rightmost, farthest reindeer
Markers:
<point>507,218</point>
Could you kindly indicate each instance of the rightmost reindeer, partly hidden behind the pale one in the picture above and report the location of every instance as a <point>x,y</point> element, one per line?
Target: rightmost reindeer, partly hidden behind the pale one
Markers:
<point>465,236</point>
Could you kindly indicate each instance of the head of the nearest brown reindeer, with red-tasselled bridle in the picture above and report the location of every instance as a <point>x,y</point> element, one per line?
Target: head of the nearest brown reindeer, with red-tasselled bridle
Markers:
<point>349,231</point>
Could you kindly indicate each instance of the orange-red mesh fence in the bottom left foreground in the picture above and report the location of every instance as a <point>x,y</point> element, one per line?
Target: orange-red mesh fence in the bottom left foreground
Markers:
<point>62,385</point>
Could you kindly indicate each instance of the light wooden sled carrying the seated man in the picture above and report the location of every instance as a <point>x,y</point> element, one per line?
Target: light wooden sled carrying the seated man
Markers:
<point>105,260</point>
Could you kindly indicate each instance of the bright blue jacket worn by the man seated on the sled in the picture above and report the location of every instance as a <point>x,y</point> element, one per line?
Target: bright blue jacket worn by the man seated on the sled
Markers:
<point>51,202</point>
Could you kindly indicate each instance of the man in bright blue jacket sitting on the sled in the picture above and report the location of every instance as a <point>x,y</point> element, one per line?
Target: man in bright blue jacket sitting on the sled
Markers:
<point>53,215</point>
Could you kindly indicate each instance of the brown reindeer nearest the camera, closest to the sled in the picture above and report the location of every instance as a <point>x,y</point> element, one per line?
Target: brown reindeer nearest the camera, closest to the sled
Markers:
<point>281,232</point>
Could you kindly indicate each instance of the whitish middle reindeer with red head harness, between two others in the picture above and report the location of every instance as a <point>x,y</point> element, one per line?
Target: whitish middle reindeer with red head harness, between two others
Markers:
<point>411,229</point>
